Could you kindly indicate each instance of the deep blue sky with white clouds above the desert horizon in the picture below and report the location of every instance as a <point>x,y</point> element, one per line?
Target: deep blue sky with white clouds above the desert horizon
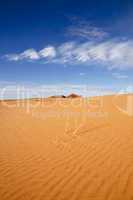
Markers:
<point>66,43</point>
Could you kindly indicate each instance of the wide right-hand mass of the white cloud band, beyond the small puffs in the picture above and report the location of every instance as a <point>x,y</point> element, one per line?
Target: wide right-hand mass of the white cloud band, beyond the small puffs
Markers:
<point>111,54</point>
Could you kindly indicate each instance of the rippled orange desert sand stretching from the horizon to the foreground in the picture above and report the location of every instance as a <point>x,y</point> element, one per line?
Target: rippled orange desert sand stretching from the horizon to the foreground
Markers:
<point>67,149</point>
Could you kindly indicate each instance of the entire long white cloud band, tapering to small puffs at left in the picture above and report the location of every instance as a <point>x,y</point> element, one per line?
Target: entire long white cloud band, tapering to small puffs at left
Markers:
<point>110,53</point>
